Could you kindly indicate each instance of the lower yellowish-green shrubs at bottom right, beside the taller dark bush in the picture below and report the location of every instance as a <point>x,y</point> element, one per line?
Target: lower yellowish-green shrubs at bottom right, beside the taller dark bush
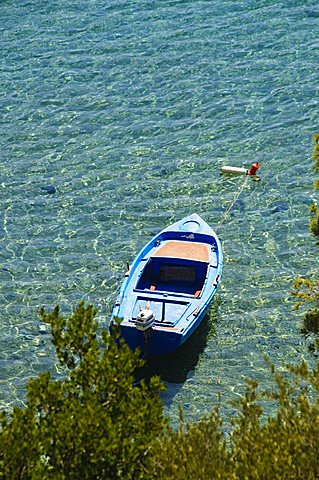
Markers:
<point>284,446</point>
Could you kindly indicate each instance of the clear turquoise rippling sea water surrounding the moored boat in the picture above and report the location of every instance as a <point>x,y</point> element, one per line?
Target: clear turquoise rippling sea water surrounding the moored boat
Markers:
<point>130,108</point>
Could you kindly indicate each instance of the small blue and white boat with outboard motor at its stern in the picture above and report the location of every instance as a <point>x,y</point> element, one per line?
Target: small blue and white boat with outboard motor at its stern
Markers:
<point>168,288</point>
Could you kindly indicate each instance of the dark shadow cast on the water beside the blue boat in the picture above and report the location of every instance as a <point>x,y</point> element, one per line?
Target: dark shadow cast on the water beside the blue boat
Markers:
<point>177,366</point>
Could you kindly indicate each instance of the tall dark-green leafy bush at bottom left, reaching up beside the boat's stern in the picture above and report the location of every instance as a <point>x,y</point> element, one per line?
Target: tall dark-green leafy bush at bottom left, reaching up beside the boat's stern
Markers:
<point>96,423</point>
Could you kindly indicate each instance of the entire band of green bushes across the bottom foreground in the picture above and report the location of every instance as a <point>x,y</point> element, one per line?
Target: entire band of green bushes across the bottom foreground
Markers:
<point>97,423</point>
